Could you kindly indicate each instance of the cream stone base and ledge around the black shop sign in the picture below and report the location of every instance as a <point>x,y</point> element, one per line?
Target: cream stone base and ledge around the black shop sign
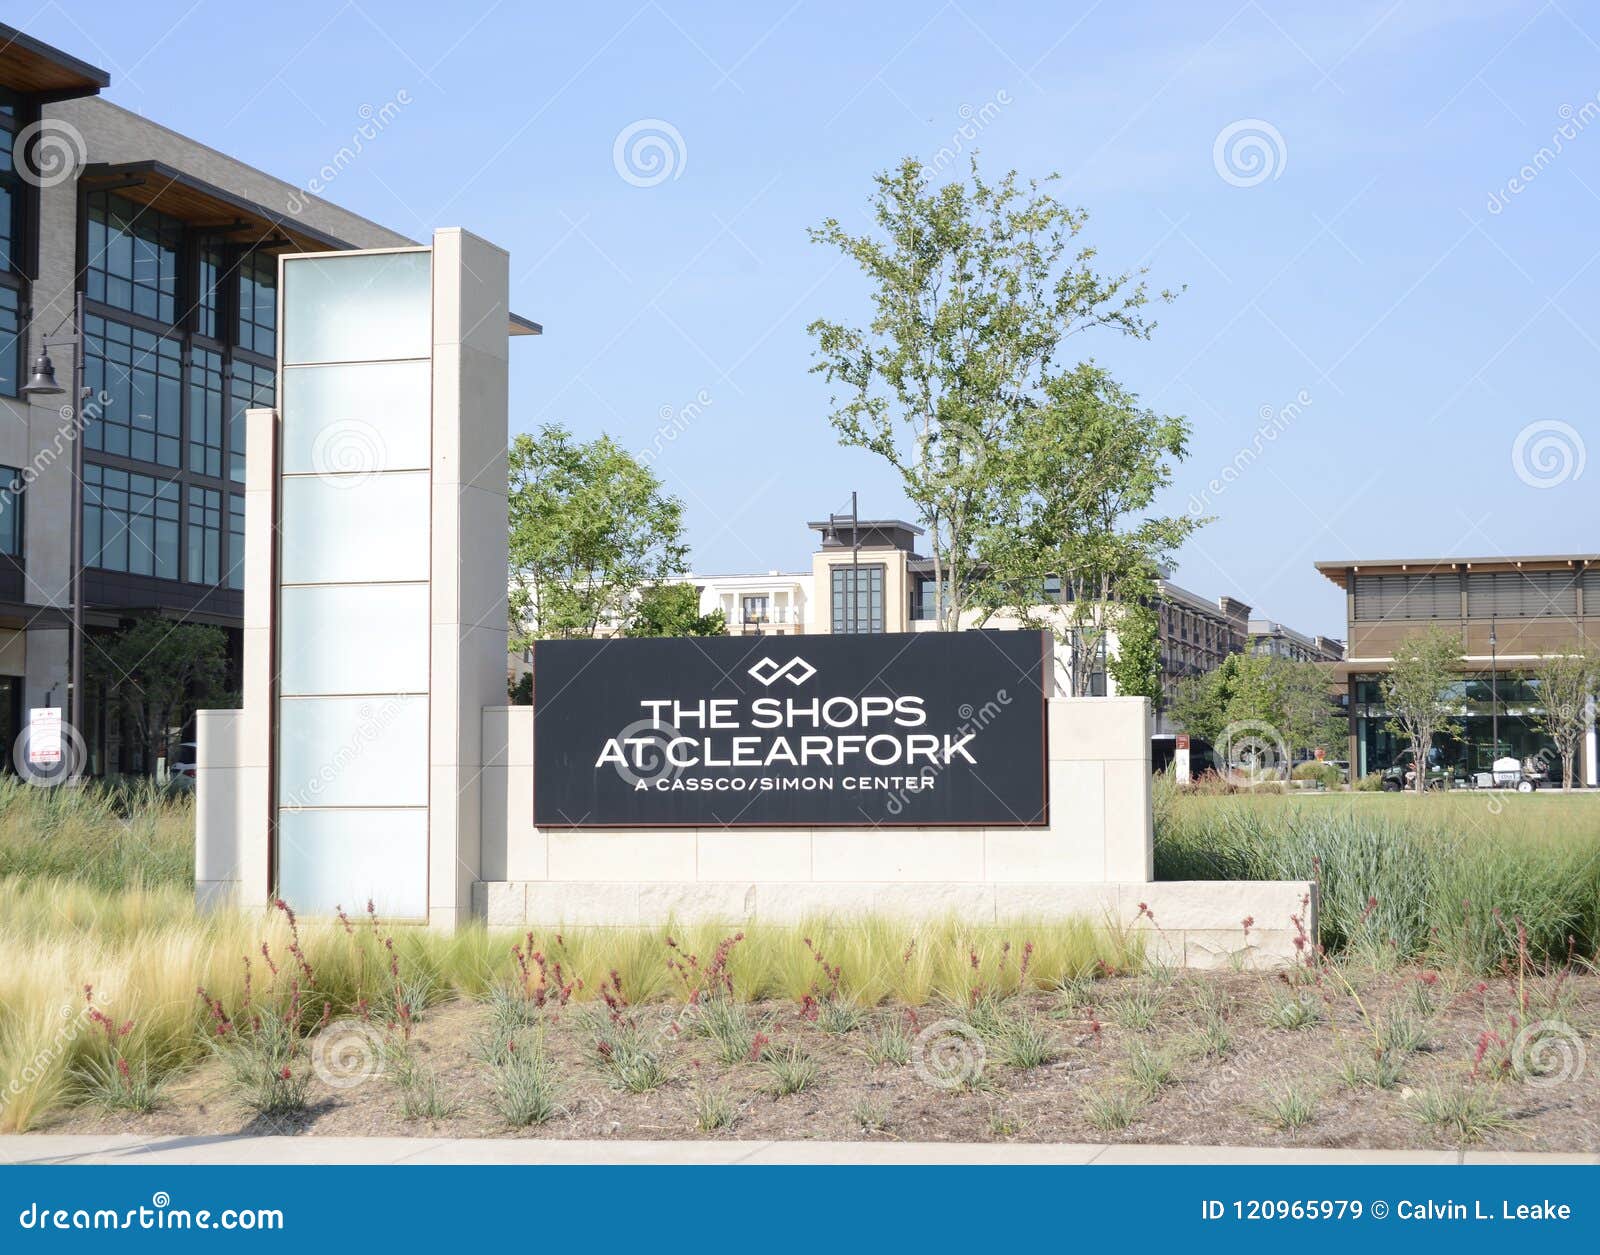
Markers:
<point>1094,860</point>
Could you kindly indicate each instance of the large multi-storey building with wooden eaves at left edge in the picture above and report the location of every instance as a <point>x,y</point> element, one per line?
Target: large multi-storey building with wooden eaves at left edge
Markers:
<point>172,251</point>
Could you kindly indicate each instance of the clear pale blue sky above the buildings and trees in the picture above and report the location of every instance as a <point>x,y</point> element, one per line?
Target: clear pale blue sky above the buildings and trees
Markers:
<point>1367,270</point>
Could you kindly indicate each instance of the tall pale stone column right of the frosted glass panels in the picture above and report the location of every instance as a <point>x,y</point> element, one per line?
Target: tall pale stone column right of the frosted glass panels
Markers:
<point>470,569</point>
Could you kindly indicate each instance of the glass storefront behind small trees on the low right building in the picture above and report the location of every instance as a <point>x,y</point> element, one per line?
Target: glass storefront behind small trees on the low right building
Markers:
<point>1474,700</point>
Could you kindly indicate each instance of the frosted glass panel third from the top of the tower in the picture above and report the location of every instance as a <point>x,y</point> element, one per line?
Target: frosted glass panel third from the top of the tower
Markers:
<point>354,529</point>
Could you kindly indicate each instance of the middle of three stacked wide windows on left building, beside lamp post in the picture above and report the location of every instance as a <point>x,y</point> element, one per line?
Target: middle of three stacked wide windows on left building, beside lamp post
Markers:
<point>142,377</point>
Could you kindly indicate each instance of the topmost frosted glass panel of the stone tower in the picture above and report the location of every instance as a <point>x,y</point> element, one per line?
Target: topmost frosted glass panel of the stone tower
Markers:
<point>372,308</point>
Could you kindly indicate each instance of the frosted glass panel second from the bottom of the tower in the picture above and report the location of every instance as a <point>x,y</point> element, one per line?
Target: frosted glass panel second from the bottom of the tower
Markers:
<point>353,752</point>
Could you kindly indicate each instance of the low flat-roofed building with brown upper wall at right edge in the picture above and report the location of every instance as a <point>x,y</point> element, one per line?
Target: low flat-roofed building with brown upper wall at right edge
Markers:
<point>1506,612</point>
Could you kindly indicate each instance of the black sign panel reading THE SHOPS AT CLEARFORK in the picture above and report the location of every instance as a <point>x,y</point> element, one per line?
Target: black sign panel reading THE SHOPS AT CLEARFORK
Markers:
<point>791,731</point>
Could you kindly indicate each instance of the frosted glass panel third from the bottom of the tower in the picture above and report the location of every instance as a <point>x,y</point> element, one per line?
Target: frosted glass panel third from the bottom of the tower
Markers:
<point>354,640</point>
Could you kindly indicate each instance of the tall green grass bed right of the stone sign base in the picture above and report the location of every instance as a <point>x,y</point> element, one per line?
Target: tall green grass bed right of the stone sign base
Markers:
<point>1402,876</point>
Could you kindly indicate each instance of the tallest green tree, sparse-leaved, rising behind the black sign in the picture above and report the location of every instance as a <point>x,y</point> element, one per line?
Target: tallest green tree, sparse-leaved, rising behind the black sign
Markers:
<point>974,287</point>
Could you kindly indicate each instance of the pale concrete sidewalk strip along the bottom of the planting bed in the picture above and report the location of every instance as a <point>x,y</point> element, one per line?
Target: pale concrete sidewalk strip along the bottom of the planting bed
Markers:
<point>126,1149</point>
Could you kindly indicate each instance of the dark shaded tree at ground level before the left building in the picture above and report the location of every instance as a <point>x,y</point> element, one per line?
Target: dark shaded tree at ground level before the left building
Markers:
<point>156,673</point>
